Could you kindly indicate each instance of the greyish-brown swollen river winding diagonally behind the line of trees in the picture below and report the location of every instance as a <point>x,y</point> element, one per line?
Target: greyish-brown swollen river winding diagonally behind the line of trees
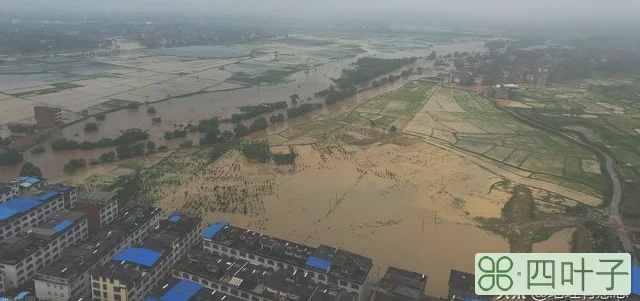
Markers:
<point>222,104</point>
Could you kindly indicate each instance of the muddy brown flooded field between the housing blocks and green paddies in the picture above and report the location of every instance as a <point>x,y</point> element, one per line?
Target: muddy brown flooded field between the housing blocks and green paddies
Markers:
<point>359,185</point>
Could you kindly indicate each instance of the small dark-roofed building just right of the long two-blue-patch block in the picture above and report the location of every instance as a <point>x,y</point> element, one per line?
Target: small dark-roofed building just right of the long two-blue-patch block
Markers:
<point>401,285</point>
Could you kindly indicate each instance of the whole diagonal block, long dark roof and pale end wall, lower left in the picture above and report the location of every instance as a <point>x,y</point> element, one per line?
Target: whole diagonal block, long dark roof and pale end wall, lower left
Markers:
<point>71,275</point>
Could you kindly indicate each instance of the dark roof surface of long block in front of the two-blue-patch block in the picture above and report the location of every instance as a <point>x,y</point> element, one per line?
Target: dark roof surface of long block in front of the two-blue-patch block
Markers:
<point>257,279</point>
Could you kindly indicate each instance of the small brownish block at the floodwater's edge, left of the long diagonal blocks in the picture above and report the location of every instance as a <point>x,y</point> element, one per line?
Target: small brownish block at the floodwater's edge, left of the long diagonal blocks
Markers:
<point>101,208</point>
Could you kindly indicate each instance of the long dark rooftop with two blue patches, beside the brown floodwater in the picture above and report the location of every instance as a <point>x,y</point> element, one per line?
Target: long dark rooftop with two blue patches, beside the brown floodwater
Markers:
<point>335,262</point>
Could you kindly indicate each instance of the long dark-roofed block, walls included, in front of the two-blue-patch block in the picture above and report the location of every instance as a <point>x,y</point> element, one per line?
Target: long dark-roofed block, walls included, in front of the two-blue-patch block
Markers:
<point>252,282</point>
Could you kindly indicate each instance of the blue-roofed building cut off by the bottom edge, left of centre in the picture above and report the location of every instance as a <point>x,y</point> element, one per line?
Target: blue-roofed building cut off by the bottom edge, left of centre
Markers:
<point>185,290</point>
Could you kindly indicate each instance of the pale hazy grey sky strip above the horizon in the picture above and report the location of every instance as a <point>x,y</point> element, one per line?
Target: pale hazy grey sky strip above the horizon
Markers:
<point>488,8</point>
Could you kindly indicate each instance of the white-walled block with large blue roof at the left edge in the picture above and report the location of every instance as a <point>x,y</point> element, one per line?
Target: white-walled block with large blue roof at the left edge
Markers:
<point>27,210</point>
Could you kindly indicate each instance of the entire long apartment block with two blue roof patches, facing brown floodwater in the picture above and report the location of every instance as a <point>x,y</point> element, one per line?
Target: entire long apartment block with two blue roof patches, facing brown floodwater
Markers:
<point>331,266</point>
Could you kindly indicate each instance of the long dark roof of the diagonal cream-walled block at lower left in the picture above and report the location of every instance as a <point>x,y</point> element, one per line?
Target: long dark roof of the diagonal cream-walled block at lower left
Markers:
<point>77,261</point>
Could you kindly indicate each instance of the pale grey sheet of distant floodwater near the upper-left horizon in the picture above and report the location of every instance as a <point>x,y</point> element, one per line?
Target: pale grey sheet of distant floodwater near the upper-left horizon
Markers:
<point>208,51</point>
